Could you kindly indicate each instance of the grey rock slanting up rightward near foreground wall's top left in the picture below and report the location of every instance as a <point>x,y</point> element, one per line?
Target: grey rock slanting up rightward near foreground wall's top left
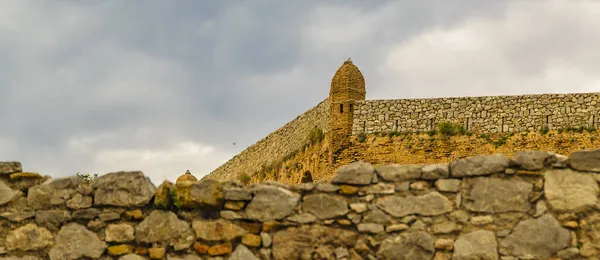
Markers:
<point>53,192</point>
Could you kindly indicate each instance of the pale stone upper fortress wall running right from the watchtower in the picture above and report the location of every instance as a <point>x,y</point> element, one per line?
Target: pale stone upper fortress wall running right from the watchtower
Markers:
<point>493,114</point>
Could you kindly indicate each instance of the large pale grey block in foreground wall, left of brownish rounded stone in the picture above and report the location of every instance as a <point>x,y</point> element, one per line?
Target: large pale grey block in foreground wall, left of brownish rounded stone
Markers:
<point>271,203</point>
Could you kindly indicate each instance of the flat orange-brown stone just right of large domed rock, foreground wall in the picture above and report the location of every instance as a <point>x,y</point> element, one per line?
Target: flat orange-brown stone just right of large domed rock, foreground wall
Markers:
<point>217,230</point>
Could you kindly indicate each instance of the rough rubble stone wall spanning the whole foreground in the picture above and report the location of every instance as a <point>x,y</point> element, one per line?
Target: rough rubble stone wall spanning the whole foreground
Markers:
<point>534,205</point>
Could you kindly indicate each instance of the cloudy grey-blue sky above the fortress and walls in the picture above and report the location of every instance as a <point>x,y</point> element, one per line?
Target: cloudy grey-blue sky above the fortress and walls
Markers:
<point>165,86</point>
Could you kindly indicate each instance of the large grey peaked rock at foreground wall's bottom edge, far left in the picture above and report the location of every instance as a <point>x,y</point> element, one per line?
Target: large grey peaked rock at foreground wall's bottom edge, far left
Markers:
<point>74,241</point>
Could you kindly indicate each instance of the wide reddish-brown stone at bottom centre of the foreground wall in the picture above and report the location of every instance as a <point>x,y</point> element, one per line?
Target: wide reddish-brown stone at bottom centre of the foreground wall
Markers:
<point>299,243</point>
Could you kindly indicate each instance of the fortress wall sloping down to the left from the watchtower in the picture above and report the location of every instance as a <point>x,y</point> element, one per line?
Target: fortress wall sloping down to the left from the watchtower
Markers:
<point>275,146</point>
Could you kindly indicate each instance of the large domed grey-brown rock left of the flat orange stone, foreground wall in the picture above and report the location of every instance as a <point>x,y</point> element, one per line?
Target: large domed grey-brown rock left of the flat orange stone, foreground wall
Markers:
<point>165,227</point>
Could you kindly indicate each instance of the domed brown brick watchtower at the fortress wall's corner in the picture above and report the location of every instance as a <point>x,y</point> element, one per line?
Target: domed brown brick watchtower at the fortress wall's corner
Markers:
<point>347,86</point>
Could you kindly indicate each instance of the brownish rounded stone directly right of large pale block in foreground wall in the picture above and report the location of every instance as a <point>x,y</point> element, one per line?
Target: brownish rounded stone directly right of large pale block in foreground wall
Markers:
<point>325,206</point>
